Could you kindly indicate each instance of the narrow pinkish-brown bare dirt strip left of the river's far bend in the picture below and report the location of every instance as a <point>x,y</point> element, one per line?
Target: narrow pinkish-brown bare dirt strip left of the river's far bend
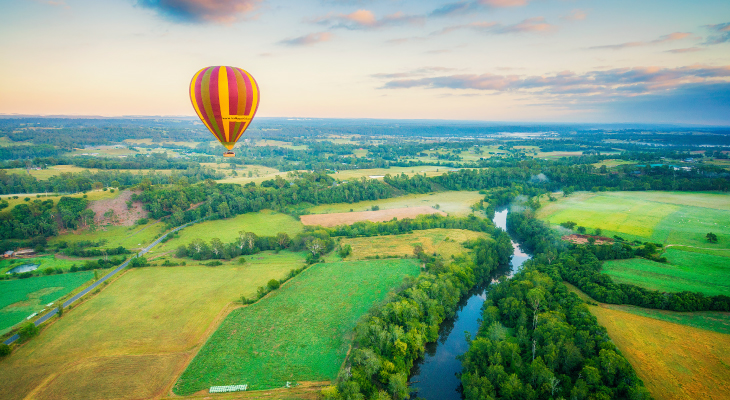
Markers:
<point>329,220</point>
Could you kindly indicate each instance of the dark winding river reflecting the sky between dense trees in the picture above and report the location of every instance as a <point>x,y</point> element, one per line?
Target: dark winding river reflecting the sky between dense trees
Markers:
<point>434,377</point>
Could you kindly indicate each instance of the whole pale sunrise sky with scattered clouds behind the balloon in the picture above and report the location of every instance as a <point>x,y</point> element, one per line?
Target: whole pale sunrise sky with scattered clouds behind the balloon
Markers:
<point>615,61</point>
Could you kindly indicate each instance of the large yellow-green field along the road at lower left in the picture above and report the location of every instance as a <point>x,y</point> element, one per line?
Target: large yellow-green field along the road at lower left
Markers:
<point>132,340</point>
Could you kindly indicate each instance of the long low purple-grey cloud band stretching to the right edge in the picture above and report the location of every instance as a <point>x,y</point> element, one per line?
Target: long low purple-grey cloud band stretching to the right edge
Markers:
<point>600,84</point>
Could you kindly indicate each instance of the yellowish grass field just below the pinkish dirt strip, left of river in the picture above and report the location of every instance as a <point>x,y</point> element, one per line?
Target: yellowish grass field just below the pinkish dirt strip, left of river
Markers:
<point>446,242</point>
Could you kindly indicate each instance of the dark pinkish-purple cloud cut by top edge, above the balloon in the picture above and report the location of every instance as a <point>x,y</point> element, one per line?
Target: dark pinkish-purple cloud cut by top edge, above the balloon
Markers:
<point>197,11</point>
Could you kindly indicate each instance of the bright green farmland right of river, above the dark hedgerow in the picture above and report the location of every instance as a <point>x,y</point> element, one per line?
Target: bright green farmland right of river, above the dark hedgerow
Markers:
<point>678,220</point>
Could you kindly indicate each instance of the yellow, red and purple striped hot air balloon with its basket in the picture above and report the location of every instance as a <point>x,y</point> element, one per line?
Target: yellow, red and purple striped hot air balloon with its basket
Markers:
<point>225,99</point>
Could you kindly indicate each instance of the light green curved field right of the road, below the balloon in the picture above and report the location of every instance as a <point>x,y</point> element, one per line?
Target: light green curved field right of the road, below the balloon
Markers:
<point>262,223</point>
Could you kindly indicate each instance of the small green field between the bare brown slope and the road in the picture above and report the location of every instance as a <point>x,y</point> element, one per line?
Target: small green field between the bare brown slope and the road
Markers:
<point>131,237</point>
